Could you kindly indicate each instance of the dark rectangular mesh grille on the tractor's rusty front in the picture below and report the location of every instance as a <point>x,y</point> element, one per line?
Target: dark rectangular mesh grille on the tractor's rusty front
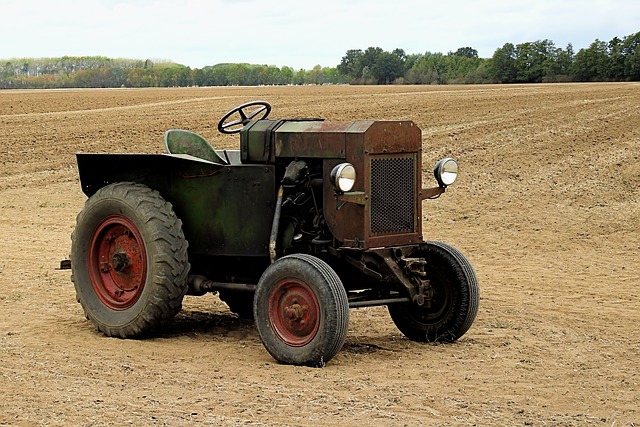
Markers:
<point>392,194</point>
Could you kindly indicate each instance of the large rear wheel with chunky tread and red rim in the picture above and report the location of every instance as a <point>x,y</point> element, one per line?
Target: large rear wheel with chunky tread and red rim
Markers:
<point>129,260</point>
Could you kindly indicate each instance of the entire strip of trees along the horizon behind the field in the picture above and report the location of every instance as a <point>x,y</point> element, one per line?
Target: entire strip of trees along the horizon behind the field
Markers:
<point>539,61</point>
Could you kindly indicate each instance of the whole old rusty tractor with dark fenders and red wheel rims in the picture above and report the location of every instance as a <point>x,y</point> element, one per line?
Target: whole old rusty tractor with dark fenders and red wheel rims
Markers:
<point>306,220</point>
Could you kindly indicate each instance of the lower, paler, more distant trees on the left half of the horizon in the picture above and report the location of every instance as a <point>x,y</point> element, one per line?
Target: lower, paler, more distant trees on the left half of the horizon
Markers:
<point>102,72</point>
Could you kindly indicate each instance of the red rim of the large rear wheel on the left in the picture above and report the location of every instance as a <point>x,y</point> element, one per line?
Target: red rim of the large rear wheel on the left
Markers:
<point>117,262</point>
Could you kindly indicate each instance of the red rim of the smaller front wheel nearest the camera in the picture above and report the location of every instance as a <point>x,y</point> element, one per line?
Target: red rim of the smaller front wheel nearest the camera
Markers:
<point>294,312</point>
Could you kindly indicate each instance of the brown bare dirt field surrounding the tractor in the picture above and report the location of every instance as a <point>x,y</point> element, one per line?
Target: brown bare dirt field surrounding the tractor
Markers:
<point>547,209</point>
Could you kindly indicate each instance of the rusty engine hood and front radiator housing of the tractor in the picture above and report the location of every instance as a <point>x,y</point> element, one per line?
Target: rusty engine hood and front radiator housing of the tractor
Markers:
<point>384,207</point>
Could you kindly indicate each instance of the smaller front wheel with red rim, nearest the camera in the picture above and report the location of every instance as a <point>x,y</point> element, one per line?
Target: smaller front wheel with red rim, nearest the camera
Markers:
<point>301,311</point>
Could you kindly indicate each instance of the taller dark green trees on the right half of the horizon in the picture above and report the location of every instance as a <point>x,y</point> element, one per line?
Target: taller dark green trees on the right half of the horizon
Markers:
<point>531,62</point>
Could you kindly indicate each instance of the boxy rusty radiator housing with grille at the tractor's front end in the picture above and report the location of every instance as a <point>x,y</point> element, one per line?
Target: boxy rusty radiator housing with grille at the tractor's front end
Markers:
<point>387,158</point>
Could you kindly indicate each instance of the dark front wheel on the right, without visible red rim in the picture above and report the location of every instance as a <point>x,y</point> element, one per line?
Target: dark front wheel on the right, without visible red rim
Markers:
<point>453,305</point>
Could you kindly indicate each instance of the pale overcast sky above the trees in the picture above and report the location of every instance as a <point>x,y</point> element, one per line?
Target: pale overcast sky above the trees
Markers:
<point>299,34</point>
